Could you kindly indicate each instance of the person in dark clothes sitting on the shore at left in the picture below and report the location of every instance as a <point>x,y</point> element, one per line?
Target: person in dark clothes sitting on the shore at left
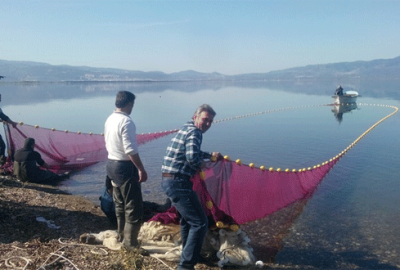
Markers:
<point>26,169</point>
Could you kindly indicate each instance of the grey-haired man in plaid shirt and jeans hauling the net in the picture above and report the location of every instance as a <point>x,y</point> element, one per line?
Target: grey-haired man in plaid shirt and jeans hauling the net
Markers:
<point>182,160</point>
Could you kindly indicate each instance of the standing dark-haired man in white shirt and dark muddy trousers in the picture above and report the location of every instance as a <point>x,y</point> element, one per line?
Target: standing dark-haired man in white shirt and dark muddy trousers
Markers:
<point>125,169</point>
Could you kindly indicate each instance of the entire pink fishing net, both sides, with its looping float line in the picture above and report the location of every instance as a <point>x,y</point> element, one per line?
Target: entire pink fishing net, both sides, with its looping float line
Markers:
<point>224,187</point>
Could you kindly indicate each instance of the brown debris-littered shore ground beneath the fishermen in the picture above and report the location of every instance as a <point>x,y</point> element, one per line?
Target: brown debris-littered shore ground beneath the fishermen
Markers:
<point>40,228</point>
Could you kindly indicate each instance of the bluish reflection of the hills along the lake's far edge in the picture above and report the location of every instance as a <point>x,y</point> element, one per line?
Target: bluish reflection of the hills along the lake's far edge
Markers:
<point>36,92</point>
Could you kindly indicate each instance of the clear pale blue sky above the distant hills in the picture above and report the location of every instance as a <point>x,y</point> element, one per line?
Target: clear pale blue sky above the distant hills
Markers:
<point>229,37</point>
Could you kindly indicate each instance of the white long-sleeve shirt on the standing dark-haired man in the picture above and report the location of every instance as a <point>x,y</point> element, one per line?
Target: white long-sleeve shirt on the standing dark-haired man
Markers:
<point>120,136</point>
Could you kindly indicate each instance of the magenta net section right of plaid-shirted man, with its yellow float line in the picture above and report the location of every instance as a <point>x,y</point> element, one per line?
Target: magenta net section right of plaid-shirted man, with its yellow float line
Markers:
<point>234,193</point>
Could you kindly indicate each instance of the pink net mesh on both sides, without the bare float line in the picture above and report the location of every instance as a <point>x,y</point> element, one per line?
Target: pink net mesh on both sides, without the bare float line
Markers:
<point>230,193</point>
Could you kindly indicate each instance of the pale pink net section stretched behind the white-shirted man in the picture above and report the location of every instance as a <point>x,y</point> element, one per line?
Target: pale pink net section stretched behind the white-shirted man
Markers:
<point>66,151</point>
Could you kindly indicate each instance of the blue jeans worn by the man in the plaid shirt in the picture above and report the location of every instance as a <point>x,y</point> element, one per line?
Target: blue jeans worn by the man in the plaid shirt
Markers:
<point>194,222</point>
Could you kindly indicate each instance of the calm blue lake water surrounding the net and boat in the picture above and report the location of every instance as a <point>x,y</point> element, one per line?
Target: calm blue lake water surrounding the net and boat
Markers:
<point>353,217</point>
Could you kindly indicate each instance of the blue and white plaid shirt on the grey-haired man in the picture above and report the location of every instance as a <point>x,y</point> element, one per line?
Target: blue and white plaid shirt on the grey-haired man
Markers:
<point>183,154</point>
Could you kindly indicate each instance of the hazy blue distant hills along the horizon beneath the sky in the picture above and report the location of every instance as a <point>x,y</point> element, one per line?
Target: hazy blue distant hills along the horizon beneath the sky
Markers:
<point>20,71</point>
